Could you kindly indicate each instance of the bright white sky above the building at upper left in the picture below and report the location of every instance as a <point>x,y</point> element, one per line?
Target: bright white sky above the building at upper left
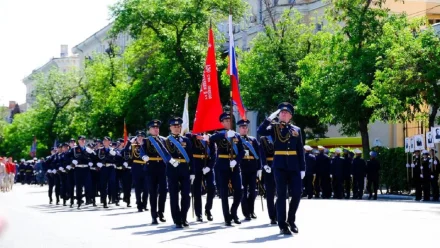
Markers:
<point>32,32</point>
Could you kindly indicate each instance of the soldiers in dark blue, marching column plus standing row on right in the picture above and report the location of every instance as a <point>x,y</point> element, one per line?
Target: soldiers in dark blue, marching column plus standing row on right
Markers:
<point>225,163</point>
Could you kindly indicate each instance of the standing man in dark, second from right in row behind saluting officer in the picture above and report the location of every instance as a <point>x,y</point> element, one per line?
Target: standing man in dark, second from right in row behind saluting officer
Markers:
<point>359,171</point>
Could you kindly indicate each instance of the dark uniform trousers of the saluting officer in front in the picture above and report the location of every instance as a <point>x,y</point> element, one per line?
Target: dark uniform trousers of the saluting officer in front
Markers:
<point>292,180</point>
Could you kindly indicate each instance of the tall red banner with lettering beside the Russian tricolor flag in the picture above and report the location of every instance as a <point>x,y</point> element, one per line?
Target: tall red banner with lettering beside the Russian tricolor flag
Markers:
<point>209,107</point>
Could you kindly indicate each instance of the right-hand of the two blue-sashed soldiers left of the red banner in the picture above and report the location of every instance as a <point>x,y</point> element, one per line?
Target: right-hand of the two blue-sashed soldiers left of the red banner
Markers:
<point>181,174</point>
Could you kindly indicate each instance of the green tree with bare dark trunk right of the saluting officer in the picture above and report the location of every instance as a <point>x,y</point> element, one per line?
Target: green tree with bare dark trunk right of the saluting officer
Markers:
<point>335,77</point>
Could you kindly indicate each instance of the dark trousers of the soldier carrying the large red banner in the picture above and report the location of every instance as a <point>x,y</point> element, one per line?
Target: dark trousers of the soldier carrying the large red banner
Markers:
<point>208,182</point>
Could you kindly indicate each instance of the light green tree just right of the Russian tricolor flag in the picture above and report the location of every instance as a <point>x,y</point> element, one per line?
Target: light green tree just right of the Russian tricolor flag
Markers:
<point>268,71</point>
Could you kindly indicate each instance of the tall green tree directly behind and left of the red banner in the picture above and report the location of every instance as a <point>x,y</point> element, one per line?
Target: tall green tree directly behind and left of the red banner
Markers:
<point>166,57</point>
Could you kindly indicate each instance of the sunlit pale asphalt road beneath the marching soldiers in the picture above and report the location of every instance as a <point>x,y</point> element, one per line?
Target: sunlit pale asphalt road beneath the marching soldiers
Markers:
<point>33,223</point>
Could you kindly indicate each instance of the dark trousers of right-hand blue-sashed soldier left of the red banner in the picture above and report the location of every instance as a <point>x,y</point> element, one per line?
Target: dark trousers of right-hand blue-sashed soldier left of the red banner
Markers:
<point>178,181</point>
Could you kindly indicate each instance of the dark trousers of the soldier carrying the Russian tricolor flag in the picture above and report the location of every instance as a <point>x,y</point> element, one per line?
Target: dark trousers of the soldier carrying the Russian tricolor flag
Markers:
<point>223,181</point>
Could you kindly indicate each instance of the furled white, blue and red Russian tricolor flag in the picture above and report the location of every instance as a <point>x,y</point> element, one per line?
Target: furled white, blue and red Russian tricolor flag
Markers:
<point>233,72</point>
